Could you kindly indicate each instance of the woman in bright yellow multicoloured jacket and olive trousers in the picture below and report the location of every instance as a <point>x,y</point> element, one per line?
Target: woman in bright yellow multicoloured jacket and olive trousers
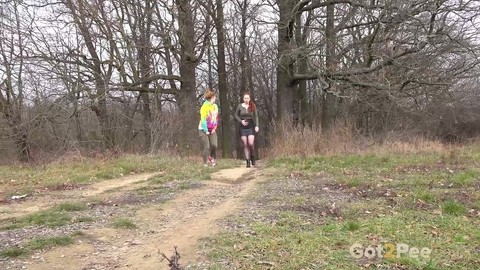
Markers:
<point>207,128</point>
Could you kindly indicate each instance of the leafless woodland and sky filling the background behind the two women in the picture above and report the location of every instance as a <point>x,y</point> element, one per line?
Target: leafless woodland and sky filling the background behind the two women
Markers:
<point>128,75</point>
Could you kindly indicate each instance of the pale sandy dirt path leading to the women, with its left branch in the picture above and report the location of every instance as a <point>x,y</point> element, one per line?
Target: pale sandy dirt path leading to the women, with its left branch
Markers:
<point>181,222</point>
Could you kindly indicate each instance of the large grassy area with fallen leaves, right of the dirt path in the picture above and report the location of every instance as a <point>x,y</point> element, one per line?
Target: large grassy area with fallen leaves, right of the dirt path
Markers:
<point>423,199</point>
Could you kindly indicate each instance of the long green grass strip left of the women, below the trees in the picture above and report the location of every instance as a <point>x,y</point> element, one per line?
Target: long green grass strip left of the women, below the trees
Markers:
<point>70,173</point>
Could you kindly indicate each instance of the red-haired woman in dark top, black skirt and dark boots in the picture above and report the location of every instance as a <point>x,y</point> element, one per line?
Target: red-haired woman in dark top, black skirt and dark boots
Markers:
<point>246,114</point>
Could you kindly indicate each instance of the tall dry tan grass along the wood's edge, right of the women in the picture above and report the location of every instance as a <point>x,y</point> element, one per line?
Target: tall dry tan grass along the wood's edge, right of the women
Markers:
<point>342,139</point>
